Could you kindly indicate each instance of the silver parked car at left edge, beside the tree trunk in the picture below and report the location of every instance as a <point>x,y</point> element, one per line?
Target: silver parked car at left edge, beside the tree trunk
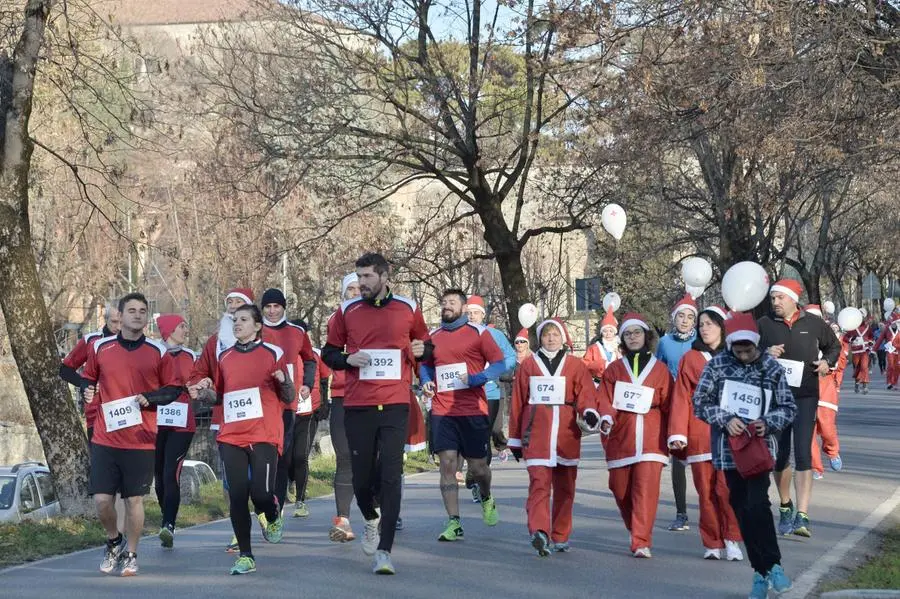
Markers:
<point>27,492</point>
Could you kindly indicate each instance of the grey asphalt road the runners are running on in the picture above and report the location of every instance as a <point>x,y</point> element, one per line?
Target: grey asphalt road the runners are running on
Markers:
<point>499,562</point>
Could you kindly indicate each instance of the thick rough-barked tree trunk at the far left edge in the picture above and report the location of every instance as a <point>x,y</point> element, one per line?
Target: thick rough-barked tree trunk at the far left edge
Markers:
<point>27,321</point>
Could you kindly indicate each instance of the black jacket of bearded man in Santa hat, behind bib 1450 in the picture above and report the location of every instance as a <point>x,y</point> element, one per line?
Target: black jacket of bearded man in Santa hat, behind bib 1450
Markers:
<point>803,341</point>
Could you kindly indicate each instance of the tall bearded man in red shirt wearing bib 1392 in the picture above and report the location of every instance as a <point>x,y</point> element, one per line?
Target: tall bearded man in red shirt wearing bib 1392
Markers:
<point>372,338</point>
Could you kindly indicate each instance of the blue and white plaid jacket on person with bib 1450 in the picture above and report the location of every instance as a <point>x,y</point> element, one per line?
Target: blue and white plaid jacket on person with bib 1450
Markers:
<point>765,372</point>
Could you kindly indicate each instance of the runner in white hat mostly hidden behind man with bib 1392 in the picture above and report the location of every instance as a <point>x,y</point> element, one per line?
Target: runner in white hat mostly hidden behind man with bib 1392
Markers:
<point>341,531</point>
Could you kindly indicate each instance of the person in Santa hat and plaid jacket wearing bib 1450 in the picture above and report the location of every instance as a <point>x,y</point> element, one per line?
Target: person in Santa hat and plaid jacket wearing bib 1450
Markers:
<point>743,370</point>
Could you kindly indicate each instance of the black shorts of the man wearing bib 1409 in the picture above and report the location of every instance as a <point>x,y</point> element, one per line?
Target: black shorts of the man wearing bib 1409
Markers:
<point>125,471</point>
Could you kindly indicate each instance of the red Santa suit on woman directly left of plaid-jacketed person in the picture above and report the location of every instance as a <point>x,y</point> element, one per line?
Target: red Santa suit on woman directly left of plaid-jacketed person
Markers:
<point>717,520</point>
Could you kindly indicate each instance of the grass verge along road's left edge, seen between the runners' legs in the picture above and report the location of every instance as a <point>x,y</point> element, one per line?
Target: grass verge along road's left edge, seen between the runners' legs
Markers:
<point>29,541</point>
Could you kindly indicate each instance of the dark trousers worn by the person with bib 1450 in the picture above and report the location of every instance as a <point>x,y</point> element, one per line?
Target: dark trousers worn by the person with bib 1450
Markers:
<point>749,499</point>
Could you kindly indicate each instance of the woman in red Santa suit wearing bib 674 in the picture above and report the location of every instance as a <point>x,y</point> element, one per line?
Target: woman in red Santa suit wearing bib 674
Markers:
<point>550,392</point>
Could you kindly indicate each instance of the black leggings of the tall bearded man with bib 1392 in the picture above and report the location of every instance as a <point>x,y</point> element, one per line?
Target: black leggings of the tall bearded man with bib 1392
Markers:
<point>376,436</point>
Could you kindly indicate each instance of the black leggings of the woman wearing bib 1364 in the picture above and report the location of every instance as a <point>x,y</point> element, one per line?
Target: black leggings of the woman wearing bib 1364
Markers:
<point>251,475</point>
